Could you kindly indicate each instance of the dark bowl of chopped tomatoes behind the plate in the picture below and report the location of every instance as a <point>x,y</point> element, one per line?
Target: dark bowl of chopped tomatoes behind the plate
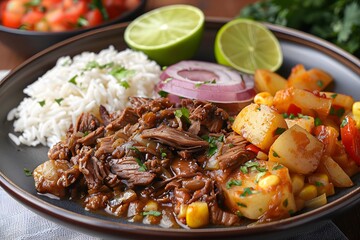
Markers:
<point>29,26</point>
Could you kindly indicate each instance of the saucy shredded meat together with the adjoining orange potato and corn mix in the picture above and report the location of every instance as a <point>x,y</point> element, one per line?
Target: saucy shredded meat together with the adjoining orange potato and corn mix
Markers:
<point>191,164</point>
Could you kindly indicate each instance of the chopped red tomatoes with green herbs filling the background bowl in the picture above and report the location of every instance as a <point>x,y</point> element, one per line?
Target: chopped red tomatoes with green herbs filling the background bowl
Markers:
<point>59,15</point>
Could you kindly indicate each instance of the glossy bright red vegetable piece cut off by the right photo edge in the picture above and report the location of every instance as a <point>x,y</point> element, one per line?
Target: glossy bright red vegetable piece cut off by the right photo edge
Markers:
<point>350,137</point>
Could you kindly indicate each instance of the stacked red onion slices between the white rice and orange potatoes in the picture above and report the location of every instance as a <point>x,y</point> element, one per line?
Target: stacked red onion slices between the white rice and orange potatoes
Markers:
<point>190,79</point>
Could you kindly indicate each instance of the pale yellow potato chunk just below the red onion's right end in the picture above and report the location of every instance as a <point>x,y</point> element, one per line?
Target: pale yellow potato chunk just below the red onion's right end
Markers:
<point>259,125</point>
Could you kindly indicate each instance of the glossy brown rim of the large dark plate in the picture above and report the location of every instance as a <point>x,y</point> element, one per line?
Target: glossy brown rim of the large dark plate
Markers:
<point>132,230</point>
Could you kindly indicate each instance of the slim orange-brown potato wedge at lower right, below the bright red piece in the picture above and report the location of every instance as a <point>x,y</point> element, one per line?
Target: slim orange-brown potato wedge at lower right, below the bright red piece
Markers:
<point>336,174</point>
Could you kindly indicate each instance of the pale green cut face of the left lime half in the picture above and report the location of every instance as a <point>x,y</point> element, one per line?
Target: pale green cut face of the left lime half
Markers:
<point>147,29</point>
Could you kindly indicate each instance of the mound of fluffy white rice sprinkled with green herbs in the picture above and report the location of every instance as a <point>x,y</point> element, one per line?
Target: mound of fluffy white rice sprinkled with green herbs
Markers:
<point>48,124</point>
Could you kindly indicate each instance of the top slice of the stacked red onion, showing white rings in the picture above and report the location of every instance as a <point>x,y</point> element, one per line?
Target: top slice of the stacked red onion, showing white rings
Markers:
<point>200,75</point>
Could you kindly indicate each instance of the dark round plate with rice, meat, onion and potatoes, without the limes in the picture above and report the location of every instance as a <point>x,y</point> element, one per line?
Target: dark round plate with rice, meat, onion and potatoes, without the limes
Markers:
<point>94,137</point>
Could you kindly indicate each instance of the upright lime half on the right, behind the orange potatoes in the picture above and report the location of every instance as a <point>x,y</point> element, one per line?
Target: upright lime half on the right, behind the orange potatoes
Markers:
<point>247,45</point>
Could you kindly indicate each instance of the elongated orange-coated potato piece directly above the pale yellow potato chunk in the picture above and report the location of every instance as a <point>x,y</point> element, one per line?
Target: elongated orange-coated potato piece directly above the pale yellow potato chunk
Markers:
<point>309,103</point>
